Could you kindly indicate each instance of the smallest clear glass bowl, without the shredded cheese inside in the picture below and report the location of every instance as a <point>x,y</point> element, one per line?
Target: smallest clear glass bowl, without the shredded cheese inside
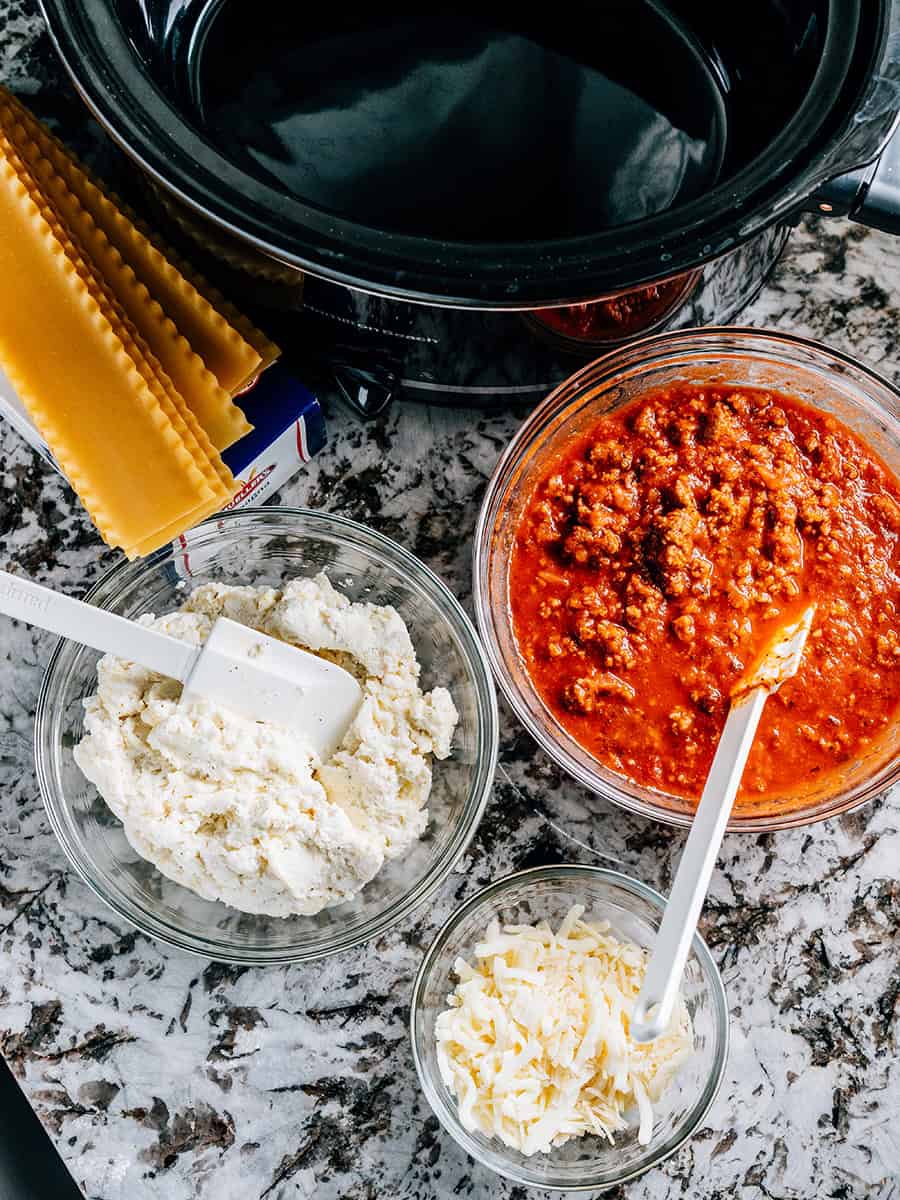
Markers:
<point>634,913</point>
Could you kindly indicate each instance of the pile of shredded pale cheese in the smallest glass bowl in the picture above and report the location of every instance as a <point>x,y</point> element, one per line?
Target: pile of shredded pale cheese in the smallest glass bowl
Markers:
<point>536,1043</point>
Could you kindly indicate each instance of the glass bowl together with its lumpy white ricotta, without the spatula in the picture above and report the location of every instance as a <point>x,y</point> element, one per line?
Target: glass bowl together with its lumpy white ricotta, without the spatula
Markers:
<point>225,839</point>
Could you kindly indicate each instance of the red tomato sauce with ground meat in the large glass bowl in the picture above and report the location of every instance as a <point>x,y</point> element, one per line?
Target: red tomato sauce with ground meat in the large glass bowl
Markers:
<point>659,553</point>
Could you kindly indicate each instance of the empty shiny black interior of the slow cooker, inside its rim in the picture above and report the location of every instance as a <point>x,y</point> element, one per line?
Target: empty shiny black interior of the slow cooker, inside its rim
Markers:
<point>493,122</point>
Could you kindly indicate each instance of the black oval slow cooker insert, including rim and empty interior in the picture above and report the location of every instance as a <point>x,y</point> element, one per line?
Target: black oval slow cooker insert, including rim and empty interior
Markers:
<point>485,154</point>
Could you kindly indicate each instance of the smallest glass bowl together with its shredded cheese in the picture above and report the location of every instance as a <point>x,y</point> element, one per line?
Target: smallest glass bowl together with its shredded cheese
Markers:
<point>520,1018</point>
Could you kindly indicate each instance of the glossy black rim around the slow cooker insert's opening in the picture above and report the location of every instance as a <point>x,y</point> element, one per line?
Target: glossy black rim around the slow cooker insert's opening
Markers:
<point>392,266</point>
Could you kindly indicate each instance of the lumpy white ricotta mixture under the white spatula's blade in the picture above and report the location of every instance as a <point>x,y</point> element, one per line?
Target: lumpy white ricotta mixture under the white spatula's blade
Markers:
<point>242,811</point>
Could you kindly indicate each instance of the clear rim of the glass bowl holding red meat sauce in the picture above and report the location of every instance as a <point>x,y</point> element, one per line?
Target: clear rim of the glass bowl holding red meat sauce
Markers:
<point>755,341</point>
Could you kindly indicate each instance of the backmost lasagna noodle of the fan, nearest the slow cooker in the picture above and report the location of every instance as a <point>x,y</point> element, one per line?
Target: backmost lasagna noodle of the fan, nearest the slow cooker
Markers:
<point>229,352</point>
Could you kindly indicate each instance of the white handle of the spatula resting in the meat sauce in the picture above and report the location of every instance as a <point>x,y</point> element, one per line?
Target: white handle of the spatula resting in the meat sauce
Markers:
<point>659,992</point>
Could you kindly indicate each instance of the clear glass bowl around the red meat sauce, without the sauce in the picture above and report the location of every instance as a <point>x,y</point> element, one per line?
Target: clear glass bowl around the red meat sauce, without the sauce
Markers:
<point>812,373</point>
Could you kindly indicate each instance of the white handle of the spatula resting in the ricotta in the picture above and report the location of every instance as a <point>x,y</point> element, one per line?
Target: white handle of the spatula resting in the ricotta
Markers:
<point>94,627</point>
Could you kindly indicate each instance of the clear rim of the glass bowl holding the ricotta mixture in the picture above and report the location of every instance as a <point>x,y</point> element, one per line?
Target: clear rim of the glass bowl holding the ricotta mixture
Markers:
<point>479,791</point>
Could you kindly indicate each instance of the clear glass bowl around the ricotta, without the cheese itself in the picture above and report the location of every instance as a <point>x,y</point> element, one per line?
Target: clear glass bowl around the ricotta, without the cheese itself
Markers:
<point>266,547</point>
